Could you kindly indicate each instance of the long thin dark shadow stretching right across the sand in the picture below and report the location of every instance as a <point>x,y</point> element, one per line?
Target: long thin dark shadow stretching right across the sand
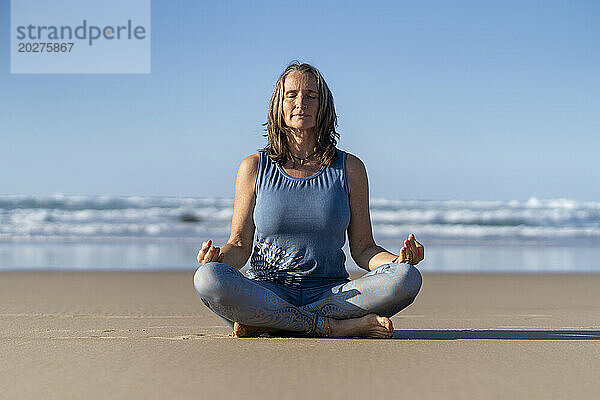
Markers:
<point>495,334</point>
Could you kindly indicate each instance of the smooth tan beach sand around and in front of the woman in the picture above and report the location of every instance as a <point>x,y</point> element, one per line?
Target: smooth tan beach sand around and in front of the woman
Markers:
<point>133,335</point>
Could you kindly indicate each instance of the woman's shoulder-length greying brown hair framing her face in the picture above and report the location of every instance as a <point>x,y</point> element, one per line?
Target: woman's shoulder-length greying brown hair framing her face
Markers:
<point>326,136</point>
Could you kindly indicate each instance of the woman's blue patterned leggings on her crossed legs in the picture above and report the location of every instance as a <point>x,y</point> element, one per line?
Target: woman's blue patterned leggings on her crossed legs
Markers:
<point>228,293</point>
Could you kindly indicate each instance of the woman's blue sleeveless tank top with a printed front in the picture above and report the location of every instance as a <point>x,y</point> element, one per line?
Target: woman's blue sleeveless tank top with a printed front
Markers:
<point>300,225</point>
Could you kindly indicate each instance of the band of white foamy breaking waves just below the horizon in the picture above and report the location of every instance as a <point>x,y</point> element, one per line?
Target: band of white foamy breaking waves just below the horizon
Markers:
<point>87,217</point>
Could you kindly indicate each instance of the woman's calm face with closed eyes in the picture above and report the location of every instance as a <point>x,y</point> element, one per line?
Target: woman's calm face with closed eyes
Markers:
<point>300,100</point>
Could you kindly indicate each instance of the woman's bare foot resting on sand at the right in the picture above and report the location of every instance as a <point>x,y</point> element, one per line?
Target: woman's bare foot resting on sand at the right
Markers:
<point>371,325</point>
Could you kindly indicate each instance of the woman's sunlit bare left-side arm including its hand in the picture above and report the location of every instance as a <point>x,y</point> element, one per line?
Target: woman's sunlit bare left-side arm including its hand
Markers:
<point>238,248</point>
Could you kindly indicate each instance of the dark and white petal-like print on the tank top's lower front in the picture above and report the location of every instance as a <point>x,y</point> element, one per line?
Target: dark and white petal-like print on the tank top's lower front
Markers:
<point>274,257</point>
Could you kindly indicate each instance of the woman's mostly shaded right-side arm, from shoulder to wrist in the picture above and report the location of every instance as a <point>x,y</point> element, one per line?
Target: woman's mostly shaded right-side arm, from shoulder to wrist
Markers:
<point>363,249</point>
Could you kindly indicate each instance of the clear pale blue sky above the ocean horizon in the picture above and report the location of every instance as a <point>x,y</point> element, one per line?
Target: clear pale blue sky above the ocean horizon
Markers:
<point>441,100</point>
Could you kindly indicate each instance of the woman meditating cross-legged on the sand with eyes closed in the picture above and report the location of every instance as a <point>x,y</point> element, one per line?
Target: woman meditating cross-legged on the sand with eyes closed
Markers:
<point>294,201</point>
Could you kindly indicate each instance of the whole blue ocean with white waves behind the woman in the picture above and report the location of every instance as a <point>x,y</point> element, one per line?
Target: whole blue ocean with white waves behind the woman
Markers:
<point>155,233</point>
